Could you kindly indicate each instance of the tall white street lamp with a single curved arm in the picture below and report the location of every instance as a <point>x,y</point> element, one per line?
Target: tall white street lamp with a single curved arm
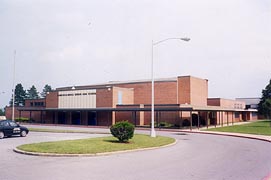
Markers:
<point>153,134</point>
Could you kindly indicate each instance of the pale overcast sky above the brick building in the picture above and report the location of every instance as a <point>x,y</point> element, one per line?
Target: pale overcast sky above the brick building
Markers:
<point>82,42</point>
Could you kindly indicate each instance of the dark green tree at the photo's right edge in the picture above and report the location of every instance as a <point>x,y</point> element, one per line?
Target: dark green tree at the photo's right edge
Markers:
<point>264,107</point>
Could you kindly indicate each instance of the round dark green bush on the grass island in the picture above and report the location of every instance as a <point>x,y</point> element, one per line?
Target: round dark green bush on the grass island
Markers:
<point>123,131</point>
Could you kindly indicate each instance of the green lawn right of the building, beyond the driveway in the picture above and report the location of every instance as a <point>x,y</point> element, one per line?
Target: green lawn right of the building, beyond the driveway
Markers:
<point>258,127</point>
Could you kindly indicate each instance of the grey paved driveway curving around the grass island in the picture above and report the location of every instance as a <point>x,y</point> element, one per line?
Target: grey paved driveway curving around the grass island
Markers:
<point>194,157</point>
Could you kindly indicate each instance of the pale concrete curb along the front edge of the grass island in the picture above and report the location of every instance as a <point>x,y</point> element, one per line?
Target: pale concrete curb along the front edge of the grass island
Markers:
<point>89,155</point>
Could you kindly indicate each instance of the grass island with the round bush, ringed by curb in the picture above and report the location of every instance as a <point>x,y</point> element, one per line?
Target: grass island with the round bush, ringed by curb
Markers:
<point>96,145</point>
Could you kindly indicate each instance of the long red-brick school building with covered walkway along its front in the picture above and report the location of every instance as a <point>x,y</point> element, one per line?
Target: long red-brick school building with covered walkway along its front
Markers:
<point>180,101</point>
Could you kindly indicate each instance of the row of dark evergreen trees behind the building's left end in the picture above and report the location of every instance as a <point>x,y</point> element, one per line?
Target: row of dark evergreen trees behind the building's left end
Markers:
<point>32,93</point>
